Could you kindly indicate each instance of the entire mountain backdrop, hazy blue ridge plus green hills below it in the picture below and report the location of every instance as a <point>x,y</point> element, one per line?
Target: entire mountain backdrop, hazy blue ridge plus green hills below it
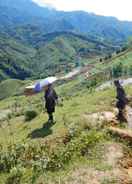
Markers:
<point>34,39</point>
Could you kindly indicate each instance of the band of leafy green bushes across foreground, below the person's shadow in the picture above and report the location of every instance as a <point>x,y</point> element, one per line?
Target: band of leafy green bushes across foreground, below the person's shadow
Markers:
<point>18,159</point>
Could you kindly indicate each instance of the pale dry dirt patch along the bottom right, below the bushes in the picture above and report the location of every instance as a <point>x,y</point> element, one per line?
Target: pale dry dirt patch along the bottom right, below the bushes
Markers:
<point>112,173</point>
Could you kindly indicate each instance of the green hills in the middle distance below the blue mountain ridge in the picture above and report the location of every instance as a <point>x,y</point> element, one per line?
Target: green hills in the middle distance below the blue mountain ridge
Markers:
<point>54,53</point>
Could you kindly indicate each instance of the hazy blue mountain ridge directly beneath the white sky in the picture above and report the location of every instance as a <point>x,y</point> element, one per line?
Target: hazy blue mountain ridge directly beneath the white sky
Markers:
<point>50,20</point>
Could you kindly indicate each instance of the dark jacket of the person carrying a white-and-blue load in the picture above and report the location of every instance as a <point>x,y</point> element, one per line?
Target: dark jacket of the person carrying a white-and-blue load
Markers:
<point>50,100</point>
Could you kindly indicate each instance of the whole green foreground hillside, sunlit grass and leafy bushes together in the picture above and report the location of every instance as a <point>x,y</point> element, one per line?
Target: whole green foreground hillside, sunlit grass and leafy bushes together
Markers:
<point>37,152</point>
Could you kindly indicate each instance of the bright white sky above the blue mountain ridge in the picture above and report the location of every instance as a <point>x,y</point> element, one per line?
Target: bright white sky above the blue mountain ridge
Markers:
<point>122,9</point>
